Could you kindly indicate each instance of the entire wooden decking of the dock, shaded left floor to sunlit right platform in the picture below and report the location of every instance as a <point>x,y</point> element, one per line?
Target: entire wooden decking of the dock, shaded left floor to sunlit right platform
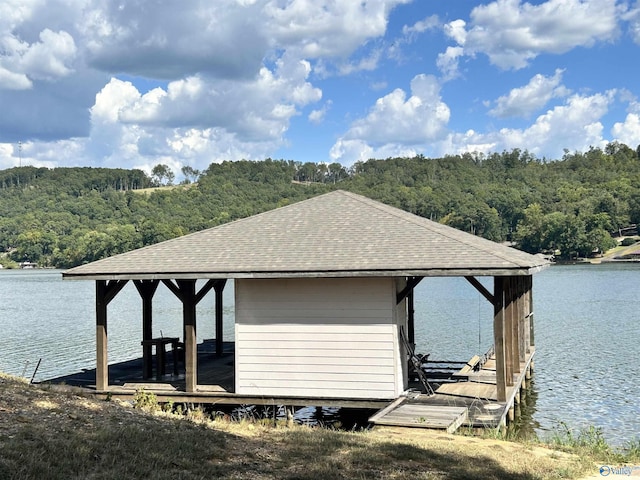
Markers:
<point>470,400</point>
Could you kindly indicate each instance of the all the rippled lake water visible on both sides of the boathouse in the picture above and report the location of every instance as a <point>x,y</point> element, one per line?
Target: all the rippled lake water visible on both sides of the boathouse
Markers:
<point>586,329</point>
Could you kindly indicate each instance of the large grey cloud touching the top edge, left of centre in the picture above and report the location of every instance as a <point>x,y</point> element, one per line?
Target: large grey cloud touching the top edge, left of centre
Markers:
<point>172,40</point>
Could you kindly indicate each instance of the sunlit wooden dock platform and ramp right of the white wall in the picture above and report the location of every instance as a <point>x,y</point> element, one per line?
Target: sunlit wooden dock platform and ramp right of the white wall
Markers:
<point>470,402</point>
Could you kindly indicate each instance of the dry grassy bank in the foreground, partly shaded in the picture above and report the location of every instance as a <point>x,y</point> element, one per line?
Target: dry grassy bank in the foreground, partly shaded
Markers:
<point>48,434</point>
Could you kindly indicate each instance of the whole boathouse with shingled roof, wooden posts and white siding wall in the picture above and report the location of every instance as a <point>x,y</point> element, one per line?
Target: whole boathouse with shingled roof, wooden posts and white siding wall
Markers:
<point>323,302</point>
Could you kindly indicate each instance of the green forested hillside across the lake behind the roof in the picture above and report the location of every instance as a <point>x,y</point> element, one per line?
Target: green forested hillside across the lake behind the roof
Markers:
<point>67,216</point>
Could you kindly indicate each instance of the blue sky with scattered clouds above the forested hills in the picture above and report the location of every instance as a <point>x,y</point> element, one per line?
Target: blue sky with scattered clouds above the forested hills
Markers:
<point>134,84</point>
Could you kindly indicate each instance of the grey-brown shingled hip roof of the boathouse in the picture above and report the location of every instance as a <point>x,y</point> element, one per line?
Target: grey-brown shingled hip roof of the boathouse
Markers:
<point>335,234</point>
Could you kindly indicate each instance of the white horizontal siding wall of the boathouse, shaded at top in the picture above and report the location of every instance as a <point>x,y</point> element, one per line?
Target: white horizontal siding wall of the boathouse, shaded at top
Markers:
<point>317,338</point>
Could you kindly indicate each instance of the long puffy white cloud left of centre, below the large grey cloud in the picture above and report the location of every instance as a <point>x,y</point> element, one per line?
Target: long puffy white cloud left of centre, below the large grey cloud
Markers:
<point>255,110</point>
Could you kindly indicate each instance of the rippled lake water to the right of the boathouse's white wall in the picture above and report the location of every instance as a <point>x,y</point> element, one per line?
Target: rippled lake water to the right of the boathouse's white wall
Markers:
<point>587,335</point>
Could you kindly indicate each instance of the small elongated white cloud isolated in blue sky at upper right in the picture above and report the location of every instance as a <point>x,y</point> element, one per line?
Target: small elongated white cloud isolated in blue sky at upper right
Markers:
<point>523,101</point>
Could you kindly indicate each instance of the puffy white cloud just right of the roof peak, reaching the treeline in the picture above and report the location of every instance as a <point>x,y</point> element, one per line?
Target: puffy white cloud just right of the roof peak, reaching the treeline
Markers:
<point>397,123</point>
